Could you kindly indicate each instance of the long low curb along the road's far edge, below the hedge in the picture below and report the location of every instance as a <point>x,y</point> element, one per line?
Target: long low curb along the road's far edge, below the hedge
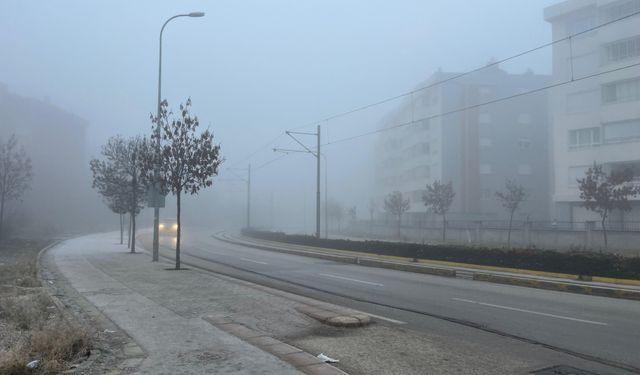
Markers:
<point>523,281</point>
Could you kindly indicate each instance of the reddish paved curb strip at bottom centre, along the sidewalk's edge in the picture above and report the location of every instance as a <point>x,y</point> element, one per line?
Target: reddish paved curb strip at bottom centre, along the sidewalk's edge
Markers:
<point>301,360</point>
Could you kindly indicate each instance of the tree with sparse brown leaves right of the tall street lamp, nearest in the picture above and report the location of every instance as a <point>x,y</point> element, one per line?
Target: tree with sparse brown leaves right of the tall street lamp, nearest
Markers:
<point>188,160</point>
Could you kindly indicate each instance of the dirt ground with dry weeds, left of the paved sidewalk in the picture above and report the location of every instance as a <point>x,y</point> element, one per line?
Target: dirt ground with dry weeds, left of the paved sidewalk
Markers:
<point>56,333</point>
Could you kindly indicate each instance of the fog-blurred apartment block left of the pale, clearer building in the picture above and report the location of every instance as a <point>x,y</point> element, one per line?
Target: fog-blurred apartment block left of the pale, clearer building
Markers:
<point>477,149</point>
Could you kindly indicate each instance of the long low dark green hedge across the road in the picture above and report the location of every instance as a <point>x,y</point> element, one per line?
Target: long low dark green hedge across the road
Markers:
<point>578,263</point>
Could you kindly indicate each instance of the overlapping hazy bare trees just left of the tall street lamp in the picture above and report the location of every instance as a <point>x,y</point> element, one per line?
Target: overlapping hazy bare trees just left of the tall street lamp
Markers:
<point>121,177</point>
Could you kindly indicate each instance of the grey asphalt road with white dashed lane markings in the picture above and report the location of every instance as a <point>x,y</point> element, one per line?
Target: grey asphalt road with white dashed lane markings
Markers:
<point>604,329</point>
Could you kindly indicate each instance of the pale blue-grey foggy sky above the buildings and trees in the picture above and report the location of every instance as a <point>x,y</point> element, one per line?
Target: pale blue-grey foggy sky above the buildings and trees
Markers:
<point>257,68</point>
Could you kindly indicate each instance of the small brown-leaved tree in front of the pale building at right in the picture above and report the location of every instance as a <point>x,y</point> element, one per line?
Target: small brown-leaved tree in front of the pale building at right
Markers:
<point>602,192</point>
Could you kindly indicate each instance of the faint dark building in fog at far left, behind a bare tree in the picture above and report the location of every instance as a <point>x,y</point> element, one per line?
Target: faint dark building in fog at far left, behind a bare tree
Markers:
<point>55,141</point>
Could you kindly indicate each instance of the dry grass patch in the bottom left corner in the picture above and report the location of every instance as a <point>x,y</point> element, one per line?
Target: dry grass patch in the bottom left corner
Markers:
<point>28,313</point>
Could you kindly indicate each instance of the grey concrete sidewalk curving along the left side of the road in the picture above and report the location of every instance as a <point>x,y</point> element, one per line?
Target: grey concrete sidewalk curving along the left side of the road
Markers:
<point>181,319</point>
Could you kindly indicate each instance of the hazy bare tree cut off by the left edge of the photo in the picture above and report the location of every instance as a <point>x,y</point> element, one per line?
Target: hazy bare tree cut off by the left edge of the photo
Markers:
<point>15,173</point>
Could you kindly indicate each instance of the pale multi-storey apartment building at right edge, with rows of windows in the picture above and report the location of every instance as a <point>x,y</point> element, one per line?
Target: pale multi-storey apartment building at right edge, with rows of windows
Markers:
<point>595,119</point>
